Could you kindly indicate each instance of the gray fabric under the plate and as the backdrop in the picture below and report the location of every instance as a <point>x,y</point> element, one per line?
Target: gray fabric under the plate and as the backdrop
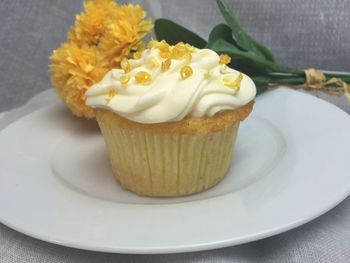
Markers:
<point>300,33</point>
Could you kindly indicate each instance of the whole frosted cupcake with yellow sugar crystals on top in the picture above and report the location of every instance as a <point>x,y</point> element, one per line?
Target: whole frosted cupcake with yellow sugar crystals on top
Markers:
<point>170,118</point>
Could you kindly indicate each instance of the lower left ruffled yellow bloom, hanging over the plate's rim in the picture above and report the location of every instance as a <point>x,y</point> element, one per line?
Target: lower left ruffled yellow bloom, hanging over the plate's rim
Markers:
<point>73,70</point>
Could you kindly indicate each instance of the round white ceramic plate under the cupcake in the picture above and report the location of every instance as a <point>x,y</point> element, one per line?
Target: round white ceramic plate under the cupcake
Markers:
<point>290,165</point>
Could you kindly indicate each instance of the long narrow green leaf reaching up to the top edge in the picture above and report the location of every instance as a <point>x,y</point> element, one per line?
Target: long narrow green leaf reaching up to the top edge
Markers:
<point>244,40</point>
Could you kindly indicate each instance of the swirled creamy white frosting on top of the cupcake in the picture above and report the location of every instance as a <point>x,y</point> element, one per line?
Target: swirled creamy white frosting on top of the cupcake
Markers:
<point>169,98</point>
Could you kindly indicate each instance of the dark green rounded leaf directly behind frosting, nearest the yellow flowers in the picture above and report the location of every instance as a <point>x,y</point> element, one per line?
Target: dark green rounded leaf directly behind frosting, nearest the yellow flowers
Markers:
<point>173,33</point>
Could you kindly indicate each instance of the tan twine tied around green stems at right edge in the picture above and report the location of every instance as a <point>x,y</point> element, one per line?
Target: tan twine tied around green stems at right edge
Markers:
<point>316,80</point>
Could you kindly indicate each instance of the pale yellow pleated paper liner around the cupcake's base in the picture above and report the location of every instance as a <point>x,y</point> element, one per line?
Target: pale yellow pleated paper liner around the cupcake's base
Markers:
<point>168,164</point>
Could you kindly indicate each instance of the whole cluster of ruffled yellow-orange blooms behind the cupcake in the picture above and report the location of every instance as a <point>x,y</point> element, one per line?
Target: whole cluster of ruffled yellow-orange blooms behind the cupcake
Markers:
<point>102,35</point>
